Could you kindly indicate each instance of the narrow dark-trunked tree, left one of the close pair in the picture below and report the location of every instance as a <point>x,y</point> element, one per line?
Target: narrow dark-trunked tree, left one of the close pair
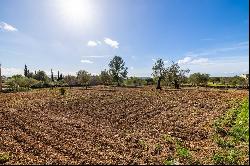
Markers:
<point>158,72</point>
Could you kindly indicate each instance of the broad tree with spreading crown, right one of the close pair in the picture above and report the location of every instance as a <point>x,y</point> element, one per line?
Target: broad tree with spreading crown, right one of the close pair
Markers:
<point>174,75</point>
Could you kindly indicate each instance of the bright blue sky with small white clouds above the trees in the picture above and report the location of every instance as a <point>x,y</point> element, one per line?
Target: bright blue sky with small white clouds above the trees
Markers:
<point>208,36</point>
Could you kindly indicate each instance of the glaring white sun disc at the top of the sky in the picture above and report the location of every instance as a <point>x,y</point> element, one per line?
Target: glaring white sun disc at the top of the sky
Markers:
<point>77,11</point>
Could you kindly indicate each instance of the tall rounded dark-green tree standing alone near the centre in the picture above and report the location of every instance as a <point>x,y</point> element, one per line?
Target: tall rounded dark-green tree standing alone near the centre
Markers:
<point>117,69</point>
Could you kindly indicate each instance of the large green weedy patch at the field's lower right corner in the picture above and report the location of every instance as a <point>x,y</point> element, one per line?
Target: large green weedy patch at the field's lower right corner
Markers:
<point>232,136</point>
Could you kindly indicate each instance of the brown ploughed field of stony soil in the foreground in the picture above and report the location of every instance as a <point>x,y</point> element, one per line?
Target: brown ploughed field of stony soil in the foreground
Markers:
<point>112,126</point>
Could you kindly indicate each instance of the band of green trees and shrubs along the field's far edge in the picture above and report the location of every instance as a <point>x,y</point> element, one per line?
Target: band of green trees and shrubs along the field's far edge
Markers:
<point>116,75</point>
